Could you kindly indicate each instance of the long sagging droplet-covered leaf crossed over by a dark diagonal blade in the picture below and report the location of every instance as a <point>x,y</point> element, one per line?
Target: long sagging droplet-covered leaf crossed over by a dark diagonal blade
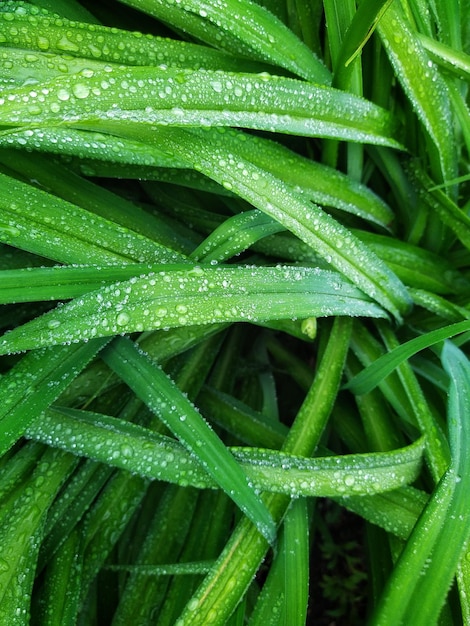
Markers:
<point>150,455</point>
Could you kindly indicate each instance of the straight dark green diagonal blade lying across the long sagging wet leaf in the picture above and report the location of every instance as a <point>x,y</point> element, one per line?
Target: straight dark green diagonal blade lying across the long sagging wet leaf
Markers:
<point>162,396</point>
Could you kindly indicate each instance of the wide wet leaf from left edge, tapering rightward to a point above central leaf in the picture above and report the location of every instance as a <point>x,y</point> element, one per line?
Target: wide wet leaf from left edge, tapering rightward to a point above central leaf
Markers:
<point>36,221</point>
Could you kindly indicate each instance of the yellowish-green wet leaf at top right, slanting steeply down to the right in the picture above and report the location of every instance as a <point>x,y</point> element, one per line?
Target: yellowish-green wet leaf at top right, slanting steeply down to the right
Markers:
<point>422,83</point>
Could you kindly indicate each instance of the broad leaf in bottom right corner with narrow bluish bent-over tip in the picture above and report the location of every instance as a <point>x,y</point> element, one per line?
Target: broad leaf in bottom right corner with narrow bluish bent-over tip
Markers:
<point>422,577</point>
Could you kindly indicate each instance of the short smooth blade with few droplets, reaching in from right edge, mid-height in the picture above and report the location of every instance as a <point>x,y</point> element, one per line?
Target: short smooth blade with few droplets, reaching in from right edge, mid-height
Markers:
<point>373,374</point>
